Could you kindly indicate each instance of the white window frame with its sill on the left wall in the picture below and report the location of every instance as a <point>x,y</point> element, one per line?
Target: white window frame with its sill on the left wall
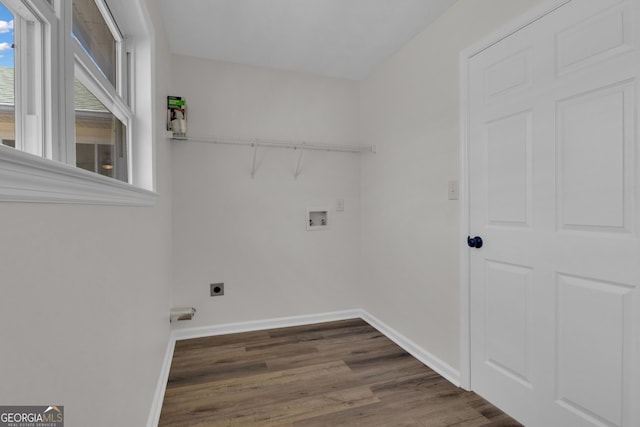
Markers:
<point>46,172</point>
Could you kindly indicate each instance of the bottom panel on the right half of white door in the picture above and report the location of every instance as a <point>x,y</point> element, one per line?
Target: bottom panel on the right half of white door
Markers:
<point>591,323</point>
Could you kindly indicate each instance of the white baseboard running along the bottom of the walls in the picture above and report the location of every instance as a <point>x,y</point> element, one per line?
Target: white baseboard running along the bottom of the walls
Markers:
<point>442,368</point>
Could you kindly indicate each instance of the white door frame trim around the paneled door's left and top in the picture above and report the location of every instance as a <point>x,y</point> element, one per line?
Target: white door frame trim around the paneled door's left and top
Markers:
<point>534,14</point>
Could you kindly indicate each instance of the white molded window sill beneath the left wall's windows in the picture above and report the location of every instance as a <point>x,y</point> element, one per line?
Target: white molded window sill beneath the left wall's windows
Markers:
<point>28,178</point>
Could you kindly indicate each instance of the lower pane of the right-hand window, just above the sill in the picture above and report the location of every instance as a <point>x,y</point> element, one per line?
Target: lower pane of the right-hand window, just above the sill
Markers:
<point>101,144</point>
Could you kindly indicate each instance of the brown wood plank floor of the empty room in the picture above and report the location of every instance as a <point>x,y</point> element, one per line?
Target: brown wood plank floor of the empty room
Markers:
<point>342,373</point>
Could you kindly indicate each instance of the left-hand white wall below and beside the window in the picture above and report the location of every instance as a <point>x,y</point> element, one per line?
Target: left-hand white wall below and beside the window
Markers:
<point>85,298</point>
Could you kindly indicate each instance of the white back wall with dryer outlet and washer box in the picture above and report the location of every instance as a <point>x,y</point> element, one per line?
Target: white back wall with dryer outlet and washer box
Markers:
<point>250,233</point>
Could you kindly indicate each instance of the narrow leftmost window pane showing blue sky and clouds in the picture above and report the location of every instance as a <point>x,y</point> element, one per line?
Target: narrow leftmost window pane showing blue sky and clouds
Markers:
<point>7,79</point>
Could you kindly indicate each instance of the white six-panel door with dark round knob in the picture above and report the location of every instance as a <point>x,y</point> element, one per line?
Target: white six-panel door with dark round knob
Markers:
<point>554,193</point>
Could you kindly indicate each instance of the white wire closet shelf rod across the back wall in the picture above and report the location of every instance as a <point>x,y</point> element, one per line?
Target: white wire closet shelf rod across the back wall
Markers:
<point>260,142</point>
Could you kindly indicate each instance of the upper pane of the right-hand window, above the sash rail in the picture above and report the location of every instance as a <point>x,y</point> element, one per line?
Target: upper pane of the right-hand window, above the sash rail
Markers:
<point>93,33</point>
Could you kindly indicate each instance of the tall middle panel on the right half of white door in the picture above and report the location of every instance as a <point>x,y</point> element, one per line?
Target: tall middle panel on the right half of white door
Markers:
<point>594,133</point>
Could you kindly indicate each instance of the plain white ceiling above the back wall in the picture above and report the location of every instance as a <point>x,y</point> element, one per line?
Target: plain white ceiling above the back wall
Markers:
<point>335,38</point>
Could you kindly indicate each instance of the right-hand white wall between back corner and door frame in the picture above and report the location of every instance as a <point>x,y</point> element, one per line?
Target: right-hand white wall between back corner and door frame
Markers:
<point>409,108</point>
